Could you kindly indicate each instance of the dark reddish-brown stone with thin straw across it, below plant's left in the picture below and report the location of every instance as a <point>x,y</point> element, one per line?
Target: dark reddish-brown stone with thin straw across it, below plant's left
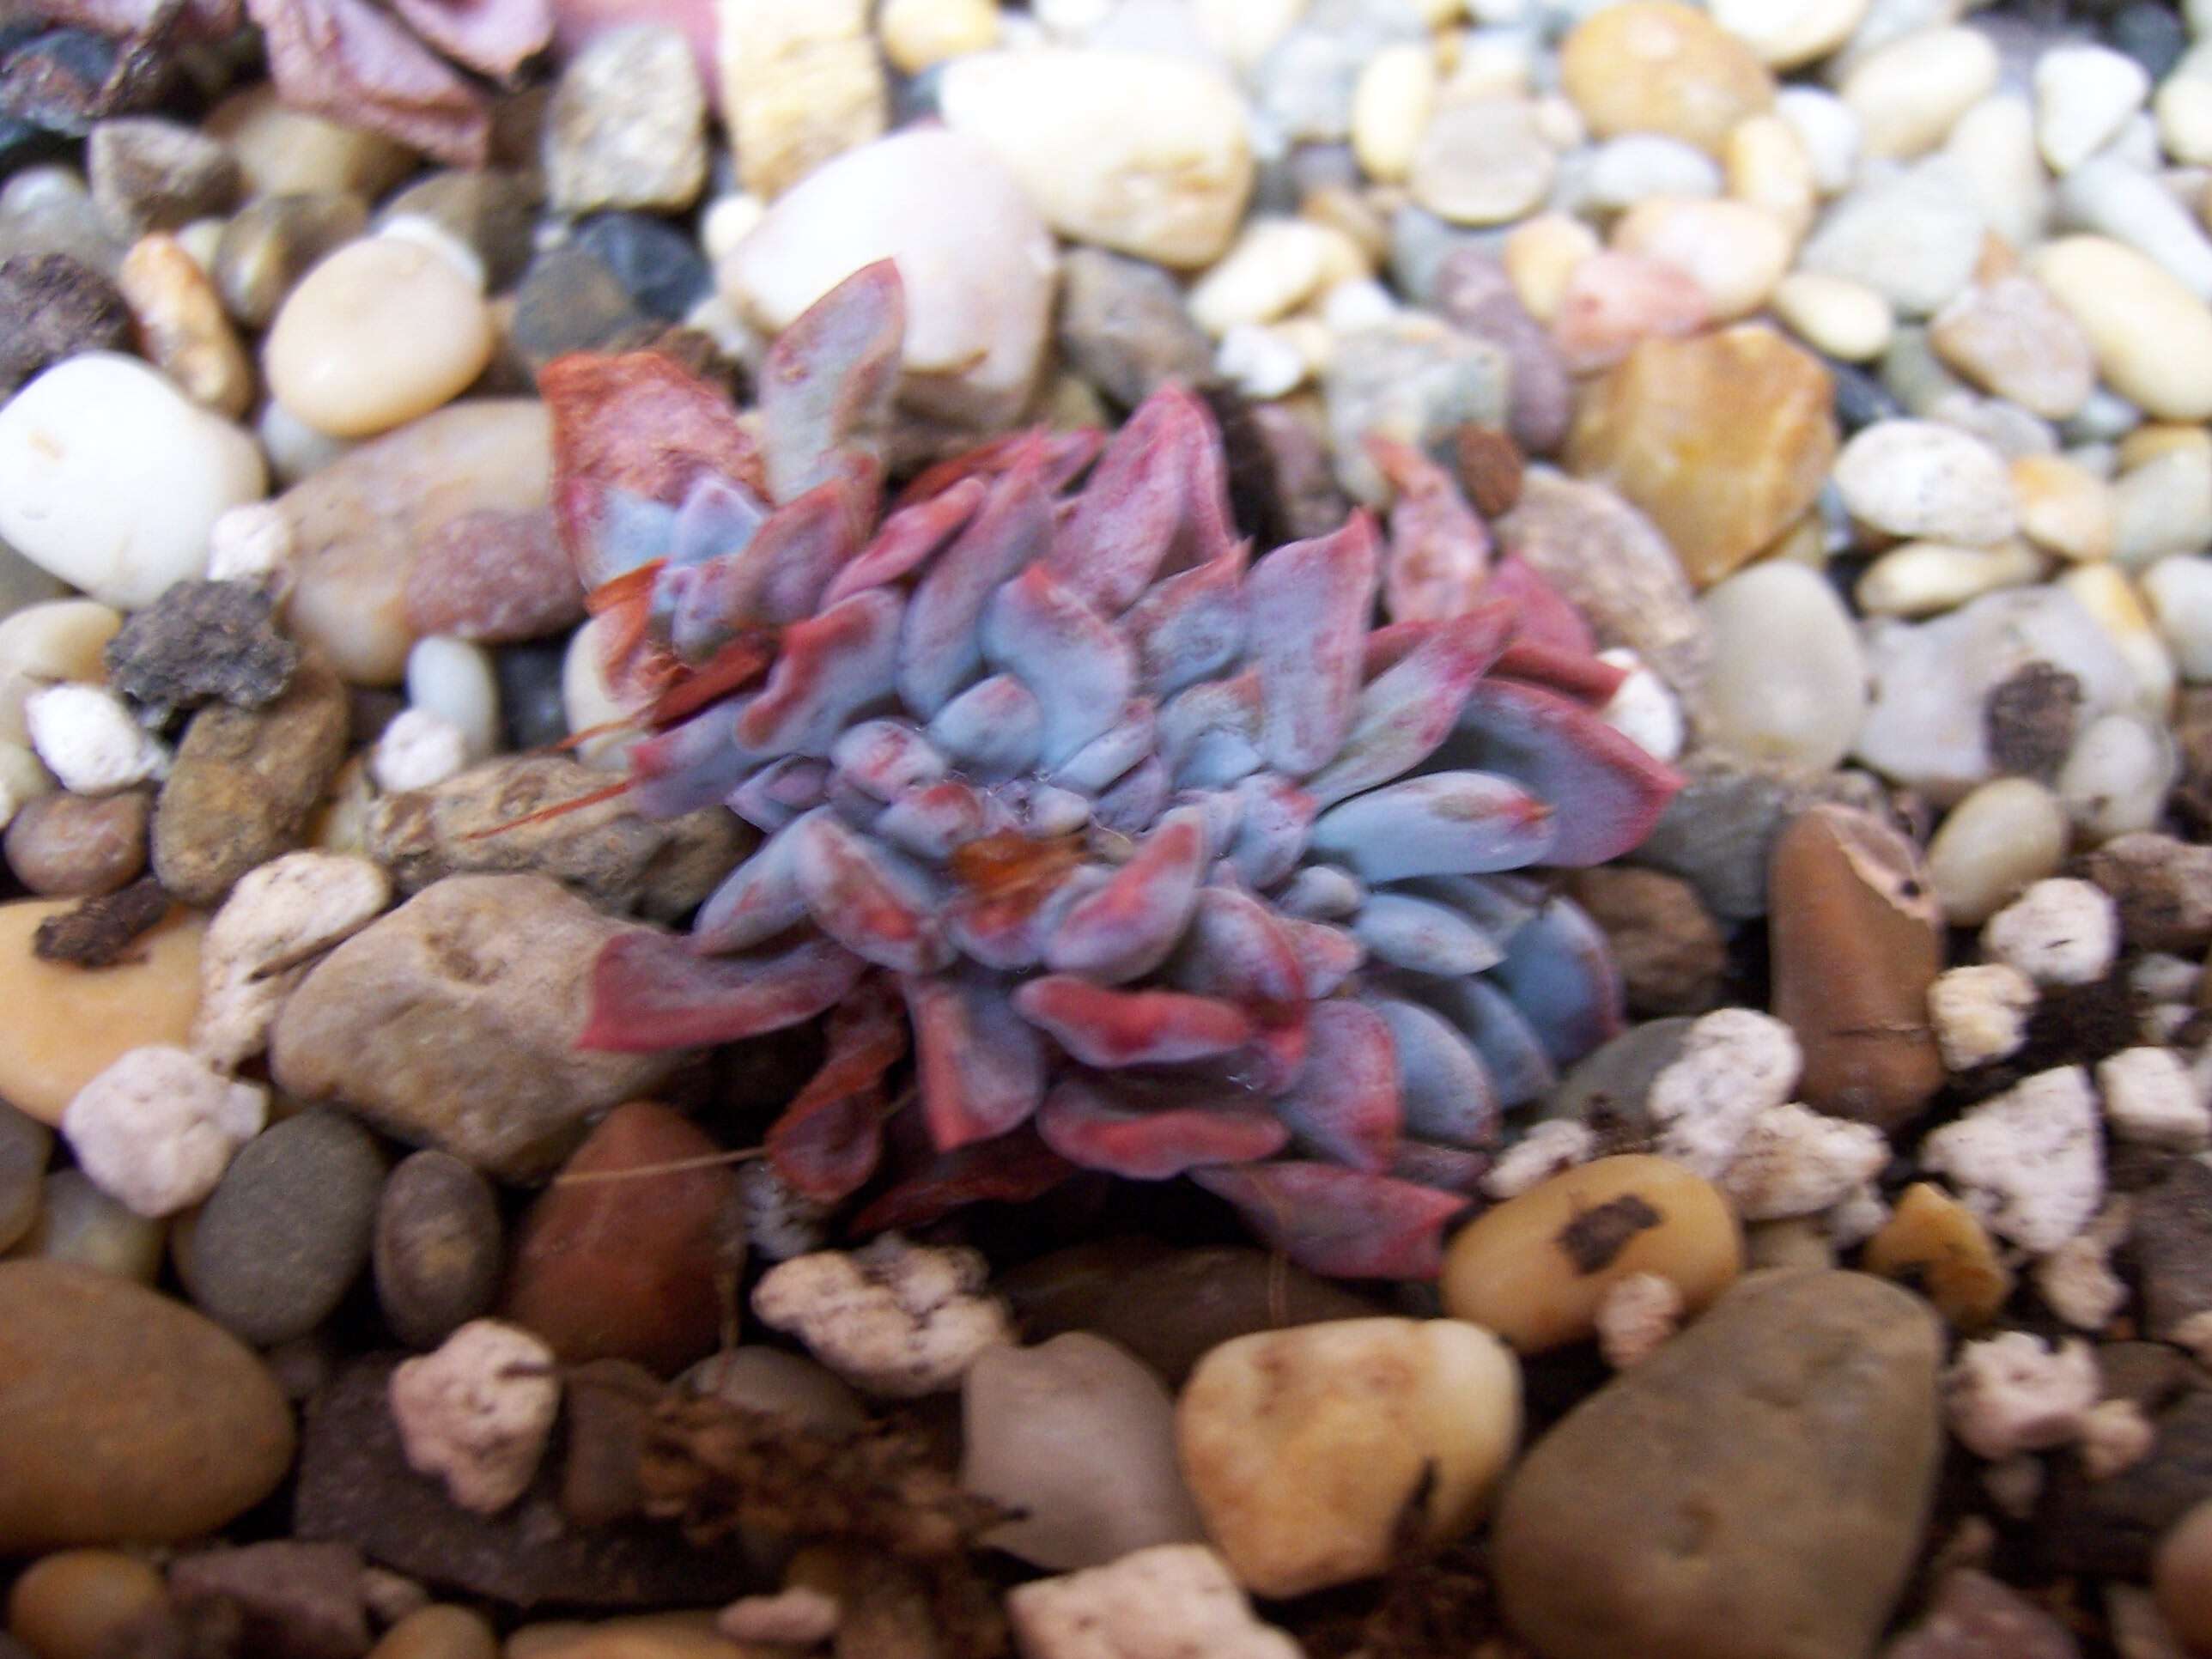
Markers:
<point>620,1258</point>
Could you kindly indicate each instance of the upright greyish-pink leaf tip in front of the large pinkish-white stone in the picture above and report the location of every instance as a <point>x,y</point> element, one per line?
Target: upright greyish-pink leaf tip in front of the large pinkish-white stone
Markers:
<point>826,386</point>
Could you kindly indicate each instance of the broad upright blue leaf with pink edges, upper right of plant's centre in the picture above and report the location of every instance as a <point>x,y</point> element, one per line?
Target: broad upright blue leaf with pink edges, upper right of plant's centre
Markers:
<point>1306,609</point>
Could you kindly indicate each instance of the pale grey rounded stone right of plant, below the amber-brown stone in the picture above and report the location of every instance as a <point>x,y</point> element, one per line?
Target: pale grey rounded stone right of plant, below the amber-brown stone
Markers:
<point>1788,680</point>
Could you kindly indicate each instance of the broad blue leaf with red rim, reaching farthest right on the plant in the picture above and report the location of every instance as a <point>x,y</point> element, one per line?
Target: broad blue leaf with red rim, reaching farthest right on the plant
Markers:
<point>1605,791</point>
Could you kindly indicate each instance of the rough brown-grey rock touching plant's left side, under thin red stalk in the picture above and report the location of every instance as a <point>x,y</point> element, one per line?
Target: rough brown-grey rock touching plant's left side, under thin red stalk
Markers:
<point>605,853</point>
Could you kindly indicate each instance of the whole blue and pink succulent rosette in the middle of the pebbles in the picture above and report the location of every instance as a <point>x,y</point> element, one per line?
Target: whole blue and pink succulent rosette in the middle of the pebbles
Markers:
<point>1167,862</point>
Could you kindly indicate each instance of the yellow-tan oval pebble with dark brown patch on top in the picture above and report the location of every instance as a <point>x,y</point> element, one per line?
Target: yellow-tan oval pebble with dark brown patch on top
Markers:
<point>1538,1266</point>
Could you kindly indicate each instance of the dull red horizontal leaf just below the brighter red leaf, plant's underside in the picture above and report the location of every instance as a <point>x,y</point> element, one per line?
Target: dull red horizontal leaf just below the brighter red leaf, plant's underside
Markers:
<point>1154,1134</point>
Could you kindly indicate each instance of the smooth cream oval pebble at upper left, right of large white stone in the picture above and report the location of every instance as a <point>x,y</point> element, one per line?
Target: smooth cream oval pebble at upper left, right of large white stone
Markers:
<point>377,335</point>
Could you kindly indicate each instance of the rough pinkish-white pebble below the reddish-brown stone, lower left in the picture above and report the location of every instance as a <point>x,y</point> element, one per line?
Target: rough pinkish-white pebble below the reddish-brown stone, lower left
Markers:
<point>477,1415</point>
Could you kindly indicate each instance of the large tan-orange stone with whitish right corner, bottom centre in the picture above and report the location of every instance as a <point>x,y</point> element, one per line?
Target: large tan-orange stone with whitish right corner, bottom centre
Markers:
<point>1306,1448</point>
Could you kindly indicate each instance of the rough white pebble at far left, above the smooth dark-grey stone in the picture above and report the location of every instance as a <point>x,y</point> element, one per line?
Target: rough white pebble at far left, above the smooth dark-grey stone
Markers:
<point>158,1129</point>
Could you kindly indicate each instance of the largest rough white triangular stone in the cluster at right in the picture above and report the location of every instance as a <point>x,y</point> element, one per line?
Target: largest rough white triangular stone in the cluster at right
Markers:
<point>2030,1160</point>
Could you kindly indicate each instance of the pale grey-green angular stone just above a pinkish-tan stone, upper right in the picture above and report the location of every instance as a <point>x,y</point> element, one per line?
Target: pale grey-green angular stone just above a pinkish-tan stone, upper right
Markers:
<point>1912,238</point>
